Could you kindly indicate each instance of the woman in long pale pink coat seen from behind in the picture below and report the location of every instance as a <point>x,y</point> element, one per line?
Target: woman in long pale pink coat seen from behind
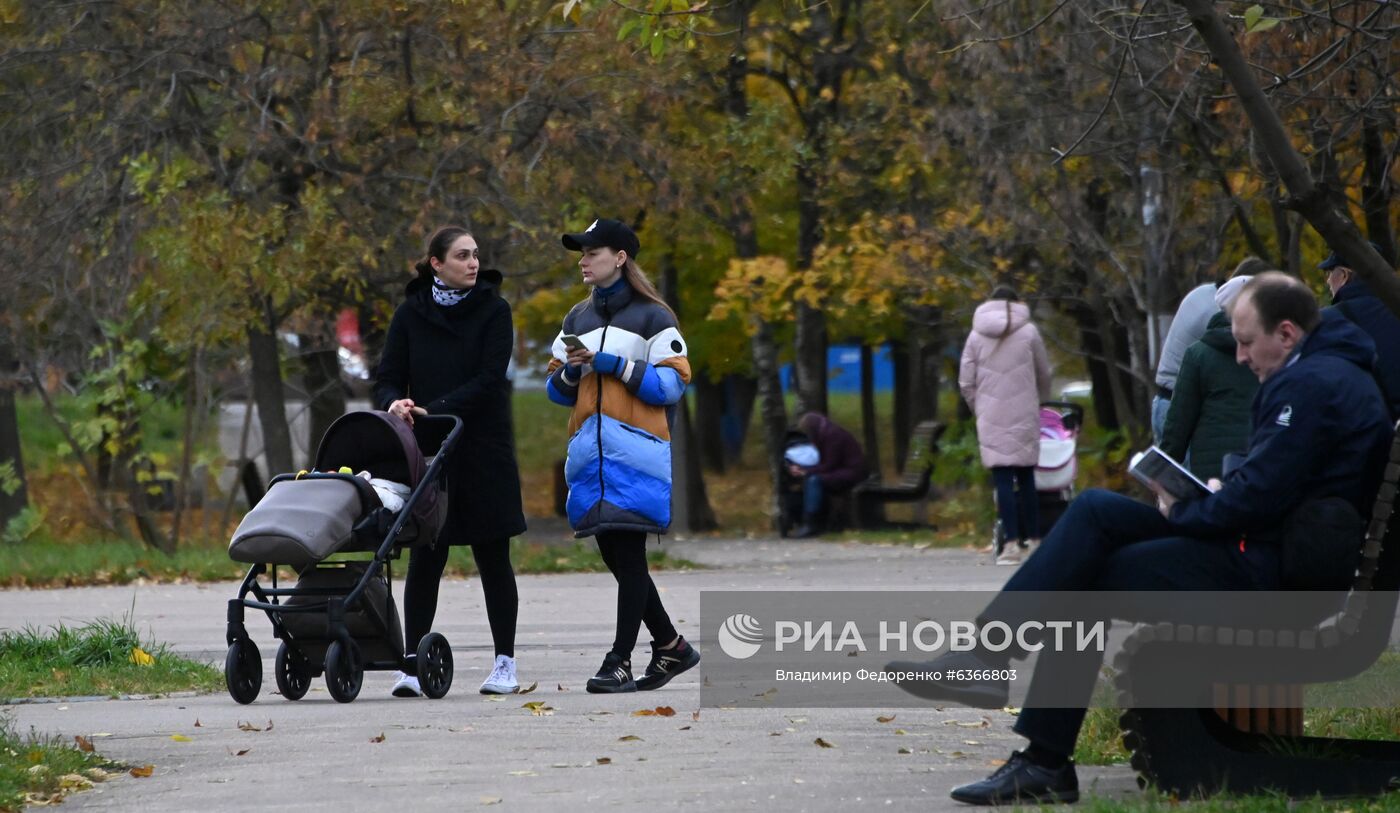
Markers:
<point>1004,377</point>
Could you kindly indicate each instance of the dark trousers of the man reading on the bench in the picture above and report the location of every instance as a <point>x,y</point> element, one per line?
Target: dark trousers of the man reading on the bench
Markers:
<point>1109,542</point>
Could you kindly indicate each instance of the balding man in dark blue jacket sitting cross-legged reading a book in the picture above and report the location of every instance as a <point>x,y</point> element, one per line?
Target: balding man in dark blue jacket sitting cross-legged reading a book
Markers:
<point>1321,429</point>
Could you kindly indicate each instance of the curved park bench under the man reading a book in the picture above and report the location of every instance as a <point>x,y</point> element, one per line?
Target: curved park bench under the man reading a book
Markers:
<point>1248,738</point>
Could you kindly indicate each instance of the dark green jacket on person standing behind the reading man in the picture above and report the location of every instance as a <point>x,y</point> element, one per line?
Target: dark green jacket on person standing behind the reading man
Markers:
<point>1210,413</point>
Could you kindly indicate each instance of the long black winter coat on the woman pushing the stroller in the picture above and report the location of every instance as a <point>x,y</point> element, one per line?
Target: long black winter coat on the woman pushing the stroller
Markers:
<point>453,362</point>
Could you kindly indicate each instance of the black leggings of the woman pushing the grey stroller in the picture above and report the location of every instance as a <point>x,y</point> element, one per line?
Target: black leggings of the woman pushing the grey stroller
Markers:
<point>493,563</point>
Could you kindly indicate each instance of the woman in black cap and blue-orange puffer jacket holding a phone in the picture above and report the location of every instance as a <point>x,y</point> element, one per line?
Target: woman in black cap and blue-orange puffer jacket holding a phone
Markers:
<point>621,365</point>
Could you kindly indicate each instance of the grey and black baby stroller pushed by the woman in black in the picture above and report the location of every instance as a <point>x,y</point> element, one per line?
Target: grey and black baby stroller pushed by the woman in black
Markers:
<point>339,618</point>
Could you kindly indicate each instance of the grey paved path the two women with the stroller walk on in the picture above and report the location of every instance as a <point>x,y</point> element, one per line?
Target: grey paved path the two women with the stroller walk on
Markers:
<point>467,752</point>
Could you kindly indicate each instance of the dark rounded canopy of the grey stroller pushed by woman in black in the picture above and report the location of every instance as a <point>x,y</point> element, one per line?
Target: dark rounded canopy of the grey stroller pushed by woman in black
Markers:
<point>380,444</point>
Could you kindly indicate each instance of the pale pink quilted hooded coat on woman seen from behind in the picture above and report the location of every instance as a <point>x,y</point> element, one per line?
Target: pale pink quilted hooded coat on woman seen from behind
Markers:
<point>1004,376</point>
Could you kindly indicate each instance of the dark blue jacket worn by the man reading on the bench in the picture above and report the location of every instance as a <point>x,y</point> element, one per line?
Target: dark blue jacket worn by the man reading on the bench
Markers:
<point>1321,430</point>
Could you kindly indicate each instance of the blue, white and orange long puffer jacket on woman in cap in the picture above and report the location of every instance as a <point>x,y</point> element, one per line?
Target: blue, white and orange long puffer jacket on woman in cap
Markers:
<point>619,450</point>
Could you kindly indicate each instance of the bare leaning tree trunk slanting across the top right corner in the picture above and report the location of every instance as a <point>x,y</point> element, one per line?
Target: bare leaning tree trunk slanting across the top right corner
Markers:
<point>1321,206</point>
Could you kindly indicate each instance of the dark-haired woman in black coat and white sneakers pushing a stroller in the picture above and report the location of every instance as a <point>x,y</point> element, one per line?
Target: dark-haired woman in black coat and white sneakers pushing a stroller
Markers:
<point>446,353</point>
